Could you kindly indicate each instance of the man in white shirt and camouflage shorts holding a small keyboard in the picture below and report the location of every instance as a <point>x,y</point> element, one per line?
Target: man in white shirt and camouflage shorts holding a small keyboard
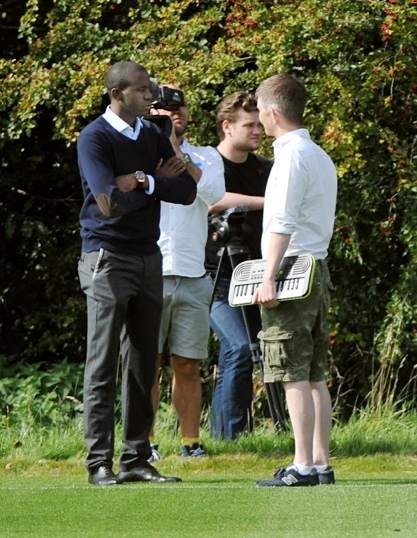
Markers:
<point>299,210</point>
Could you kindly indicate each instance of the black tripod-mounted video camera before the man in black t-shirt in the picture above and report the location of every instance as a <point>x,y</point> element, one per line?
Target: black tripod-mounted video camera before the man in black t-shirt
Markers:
<point>229,226</point>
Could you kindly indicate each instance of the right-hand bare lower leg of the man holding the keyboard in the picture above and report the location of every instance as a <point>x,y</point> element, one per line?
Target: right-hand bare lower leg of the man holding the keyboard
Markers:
<point>323,411</point>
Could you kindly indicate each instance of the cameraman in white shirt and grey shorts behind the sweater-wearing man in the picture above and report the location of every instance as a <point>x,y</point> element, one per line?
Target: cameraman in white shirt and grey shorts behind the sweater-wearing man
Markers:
<point>187,290</point>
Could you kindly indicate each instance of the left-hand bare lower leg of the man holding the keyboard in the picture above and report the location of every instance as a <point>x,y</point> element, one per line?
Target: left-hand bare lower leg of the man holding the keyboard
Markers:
<point>302,414</point>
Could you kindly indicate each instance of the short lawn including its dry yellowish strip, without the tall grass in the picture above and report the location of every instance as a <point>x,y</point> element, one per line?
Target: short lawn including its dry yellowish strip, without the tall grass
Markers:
<point>374,496</point>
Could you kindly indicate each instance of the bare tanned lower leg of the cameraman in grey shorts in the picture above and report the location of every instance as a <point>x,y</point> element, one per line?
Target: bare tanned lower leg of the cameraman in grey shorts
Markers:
<point>187,394</point>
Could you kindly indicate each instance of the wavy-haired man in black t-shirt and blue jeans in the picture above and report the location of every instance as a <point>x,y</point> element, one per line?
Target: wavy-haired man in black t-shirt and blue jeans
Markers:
<point>246,174</point>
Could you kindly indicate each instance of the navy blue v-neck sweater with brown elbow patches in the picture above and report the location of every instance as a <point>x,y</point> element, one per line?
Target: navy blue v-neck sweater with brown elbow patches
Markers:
<point>133,224</point>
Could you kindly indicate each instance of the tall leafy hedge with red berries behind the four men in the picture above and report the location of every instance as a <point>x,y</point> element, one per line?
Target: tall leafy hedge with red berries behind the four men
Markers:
<point>358,62</point>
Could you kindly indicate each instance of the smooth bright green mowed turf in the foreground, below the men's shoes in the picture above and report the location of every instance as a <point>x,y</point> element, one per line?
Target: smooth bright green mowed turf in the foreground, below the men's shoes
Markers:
<point>66,508</point>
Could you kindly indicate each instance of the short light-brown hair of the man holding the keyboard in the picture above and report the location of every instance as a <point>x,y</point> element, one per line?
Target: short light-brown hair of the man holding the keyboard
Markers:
<point>286,94</point>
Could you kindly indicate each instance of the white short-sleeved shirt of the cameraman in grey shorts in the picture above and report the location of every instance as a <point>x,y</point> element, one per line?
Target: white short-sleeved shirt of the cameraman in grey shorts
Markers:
<point>184,228</point>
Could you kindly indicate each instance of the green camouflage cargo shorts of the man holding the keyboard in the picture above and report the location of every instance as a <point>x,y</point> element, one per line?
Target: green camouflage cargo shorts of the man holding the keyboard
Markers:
<point>295,337</point>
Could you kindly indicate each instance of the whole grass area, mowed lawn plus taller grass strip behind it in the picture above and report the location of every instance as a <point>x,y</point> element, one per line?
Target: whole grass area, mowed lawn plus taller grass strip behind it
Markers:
<point>44,491</point>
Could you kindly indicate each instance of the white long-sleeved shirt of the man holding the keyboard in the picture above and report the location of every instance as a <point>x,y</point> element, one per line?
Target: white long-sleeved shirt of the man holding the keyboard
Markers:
<point>300,196</point>
